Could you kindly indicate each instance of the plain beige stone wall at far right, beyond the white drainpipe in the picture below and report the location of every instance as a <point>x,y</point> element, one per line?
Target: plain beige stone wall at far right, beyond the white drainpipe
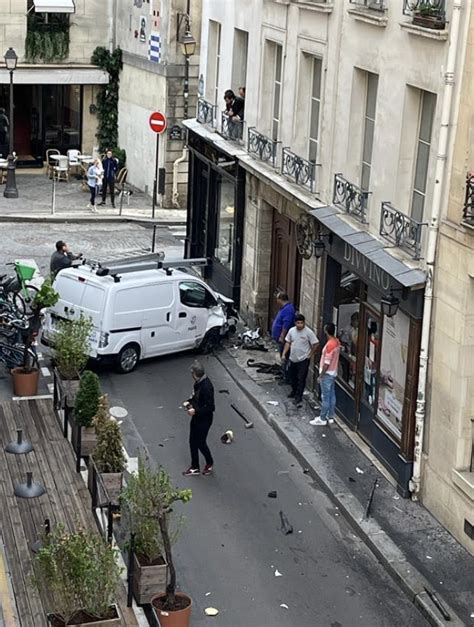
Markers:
<point>448,479</point>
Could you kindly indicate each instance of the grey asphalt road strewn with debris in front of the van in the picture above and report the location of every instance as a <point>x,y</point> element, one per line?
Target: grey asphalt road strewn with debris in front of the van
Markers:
<point>231,545</point>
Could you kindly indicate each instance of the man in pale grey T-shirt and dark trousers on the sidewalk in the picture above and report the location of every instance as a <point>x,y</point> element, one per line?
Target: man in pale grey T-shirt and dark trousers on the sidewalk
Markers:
<point>302,344</point>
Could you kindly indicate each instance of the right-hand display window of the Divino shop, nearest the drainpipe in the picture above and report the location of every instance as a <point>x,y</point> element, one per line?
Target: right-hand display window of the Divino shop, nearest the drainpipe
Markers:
<point>393,370</point>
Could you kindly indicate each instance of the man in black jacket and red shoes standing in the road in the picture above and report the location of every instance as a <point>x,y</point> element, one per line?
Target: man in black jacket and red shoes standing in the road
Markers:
<point>201,408</point>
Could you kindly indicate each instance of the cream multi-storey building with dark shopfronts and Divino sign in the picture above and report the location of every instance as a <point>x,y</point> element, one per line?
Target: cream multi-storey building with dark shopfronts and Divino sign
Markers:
<point>329,187</point>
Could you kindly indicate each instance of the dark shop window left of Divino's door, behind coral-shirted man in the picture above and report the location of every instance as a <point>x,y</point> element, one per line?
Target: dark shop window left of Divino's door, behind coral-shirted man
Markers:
<point>346,314</point>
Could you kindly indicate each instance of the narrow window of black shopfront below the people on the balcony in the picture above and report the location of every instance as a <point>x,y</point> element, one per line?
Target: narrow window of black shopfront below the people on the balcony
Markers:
<point>224,251</point>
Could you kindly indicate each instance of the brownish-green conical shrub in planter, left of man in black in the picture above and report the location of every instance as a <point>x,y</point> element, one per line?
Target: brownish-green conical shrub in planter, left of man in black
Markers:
<point>108,459</point>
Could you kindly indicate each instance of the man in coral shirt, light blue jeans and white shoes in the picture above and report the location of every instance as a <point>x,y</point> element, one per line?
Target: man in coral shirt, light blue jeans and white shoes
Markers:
<point>327,377</point>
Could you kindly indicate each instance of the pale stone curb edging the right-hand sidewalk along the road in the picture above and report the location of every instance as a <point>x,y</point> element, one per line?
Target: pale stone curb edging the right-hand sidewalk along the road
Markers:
<point>411,581</point>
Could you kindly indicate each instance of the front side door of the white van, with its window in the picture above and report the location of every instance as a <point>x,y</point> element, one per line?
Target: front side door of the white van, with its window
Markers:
<point>193,312</point>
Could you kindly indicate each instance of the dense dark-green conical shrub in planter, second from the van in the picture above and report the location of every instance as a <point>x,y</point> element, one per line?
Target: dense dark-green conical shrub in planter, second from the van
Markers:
<point>86,406</point>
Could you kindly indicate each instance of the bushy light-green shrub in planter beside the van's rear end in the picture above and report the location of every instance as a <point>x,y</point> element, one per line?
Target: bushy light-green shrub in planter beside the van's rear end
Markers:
<point>71,353</point>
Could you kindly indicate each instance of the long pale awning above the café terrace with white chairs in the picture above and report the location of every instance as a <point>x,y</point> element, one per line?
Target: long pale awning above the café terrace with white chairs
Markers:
<point>54,75</point>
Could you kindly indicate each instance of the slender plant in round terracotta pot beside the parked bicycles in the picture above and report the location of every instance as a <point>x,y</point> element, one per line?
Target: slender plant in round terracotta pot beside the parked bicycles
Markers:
<point>25,378</point>
